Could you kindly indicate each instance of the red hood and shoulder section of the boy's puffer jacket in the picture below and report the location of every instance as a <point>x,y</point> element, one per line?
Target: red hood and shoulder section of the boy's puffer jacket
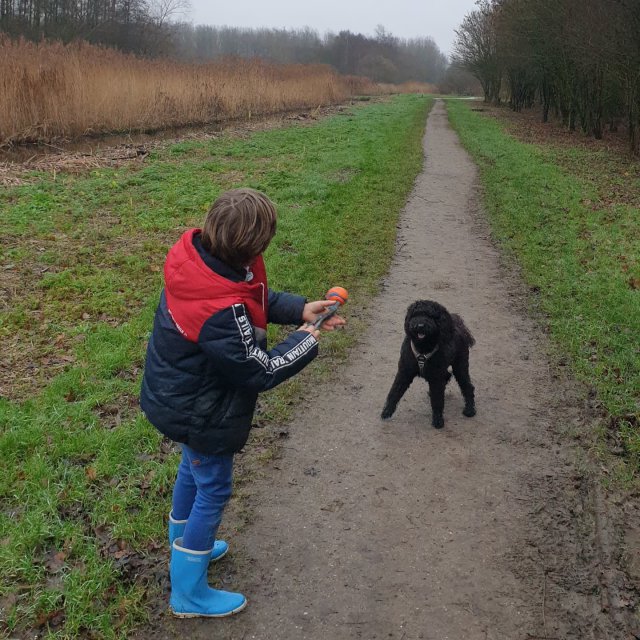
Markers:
<point>194,292</point>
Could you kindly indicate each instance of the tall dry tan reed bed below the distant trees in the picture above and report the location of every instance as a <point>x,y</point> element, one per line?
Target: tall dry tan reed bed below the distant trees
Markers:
<point>51,90</point>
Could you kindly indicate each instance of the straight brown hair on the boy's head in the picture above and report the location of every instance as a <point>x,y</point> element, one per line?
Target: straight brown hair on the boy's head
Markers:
<point>239,226</point>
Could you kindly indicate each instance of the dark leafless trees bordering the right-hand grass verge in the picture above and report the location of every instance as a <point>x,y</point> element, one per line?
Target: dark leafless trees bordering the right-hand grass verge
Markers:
<point>577,59</point>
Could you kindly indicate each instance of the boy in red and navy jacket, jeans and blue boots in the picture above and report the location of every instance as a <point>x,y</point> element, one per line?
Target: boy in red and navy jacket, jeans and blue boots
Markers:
<point>206,363</point>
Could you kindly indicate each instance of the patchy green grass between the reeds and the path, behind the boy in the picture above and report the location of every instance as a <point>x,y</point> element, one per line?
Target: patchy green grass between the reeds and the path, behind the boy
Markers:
<point>85,482</point>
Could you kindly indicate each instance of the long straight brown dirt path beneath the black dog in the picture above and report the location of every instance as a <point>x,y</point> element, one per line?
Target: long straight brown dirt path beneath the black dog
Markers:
<point>481,531</point>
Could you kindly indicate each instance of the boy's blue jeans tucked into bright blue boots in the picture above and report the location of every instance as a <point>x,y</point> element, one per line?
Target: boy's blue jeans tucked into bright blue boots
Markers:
<point>202,489</point>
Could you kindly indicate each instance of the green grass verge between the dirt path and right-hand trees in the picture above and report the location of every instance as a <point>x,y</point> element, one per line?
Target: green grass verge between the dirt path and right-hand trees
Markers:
<point>570,217</point>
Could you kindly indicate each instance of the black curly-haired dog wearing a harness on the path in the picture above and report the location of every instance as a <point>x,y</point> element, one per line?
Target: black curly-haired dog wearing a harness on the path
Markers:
<point>434,341</point>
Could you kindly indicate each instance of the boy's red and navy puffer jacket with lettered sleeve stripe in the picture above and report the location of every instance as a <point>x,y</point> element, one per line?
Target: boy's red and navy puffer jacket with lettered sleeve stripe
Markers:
<point>206,358</point>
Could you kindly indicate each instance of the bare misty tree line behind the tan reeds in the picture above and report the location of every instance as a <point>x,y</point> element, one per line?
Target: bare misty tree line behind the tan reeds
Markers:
<point>148,27</point>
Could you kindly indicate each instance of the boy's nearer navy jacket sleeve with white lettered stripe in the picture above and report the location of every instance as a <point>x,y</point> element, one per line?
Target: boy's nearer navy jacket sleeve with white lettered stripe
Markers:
<point>229,339</point>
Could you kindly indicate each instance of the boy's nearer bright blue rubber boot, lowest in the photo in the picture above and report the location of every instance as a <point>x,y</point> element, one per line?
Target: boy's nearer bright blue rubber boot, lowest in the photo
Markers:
<point>191,595</point>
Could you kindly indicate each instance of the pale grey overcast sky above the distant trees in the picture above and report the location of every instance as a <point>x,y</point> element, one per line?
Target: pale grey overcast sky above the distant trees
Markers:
<point>403,18</point>
